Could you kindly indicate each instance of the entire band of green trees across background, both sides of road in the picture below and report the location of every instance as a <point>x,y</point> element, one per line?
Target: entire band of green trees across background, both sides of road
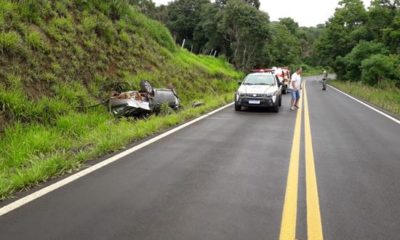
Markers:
<point>357,43</point>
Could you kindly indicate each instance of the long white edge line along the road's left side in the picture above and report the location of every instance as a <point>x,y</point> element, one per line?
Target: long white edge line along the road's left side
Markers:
<point>31,197</point>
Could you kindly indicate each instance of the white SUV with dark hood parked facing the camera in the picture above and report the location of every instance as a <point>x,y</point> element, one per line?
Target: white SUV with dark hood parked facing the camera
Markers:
<point>259,90</point>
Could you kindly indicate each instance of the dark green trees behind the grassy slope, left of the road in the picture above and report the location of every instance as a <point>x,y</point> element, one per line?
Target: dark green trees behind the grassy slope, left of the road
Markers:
<point>236,30</point>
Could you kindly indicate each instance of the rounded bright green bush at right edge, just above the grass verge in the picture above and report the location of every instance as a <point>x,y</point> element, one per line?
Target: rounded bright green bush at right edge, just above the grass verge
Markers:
<point>380,67</point>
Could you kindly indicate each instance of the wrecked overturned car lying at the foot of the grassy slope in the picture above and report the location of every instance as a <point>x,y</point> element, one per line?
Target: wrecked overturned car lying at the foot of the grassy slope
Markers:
<point>143,102</point>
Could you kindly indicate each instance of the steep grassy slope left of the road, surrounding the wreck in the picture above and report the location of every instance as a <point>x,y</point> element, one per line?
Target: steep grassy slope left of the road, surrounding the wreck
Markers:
<point>56,57</point>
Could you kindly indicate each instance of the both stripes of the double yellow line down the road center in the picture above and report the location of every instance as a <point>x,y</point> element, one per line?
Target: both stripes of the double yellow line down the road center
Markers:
<point>289,215</point>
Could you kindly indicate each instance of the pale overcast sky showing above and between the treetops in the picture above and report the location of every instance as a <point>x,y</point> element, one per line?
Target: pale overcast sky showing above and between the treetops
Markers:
<point>307,13</point>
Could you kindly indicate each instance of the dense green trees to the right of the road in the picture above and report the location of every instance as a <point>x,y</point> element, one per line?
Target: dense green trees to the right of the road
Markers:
<point>362,44</point>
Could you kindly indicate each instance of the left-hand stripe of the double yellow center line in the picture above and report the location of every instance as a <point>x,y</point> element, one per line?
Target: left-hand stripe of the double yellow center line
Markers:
<point>289,214</point>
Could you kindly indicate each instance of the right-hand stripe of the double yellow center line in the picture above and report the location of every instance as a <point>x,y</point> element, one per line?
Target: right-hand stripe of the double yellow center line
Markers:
<point>314,224</point>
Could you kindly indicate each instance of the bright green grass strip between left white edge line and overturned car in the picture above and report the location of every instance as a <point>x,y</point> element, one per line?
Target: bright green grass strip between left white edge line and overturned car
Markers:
<point>33,153</point>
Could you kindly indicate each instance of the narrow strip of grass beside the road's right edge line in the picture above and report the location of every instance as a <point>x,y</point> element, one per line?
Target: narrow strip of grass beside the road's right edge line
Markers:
<point>385,97</point>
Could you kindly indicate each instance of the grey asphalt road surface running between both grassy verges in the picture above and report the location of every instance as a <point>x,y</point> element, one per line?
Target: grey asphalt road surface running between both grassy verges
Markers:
<point>226,177</point>
